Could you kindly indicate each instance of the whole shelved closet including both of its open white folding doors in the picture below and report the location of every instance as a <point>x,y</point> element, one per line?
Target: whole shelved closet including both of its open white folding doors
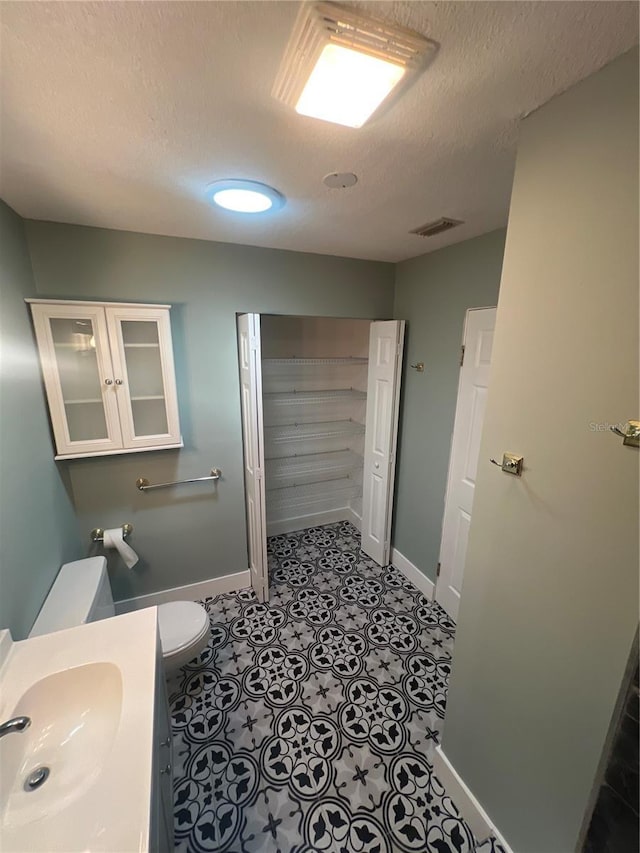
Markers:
<point>319,410</point>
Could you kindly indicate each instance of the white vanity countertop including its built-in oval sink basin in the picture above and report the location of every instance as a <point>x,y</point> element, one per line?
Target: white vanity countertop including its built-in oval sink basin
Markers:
<point>89,692</point>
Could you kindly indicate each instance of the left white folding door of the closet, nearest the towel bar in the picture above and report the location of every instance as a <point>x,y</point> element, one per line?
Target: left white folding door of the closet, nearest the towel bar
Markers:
<point>252,436</point>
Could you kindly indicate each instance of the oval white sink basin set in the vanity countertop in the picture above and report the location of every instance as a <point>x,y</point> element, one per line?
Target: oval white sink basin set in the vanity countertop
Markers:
<point>74,718</point>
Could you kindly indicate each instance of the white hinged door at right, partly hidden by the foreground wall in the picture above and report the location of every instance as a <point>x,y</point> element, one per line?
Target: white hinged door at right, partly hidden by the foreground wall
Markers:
<point>472,399</point>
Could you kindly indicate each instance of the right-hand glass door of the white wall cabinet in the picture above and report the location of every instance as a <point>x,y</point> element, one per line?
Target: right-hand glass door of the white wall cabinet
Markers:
<point>148,405</point>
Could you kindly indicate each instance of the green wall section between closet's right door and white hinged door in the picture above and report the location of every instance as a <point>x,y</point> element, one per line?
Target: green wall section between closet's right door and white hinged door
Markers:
<point>433,293</point>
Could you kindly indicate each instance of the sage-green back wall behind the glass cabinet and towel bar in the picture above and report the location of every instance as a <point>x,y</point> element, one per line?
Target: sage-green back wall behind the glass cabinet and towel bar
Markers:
<point>192,533</point>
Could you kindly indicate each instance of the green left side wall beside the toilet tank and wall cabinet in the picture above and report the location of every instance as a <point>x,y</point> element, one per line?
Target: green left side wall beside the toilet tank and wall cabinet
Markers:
<point>38,528</point>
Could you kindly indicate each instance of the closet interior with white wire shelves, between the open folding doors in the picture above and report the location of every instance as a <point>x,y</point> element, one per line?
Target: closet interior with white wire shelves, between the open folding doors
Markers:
<point>314,419</point>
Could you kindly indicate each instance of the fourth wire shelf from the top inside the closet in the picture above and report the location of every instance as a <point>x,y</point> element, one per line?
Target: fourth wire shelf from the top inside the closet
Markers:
<point>310,468</point>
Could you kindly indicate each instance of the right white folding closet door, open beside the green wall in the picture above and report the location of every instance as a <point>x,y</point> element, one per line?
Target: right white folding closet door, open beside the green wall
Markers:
<point>386,342</point>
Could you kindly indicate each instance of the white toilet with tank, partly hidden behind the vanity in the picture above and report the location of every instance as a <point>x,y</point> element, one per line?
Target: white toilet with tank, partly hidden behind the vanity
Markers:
<point>82,593</point>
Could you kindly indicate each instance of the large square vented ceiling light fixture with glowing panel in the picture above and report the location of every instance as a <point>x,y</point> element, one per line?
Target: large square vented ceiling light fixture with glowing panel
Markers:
<point>340,66</point>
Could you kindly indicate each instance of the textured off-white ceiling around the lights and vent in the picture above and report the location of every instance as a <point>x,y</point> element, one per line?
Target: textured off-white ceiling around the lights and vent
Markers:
<point>119,115</point>
